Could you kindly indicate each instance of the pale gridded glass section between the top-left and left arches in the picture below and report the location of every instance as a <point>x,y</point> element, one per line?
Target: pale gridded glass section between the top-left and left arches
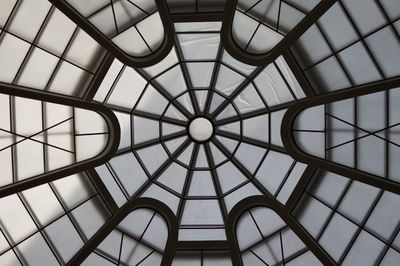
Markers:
<point>44,49</point>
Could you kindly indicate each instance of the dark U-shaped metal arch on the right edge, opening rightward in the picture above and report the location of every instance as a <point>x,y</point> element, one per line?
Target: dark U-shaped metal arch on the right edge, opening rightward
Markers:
<point>301,156</point>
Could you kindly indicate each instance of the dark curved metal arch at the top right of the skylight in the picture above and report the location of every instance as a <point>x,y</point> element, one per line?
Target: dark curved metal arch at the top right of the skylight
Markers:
<point>284,45</point>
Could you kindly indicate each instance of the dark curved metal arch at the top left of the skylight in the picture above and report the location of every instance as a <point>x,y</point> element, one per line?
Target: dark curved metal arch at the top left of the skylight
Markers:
<point>133,61</point>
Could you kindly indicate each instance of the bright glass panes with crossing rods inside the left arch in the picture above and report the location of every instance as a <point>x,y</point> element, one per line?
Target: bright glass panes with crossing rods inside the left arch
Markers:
<point>38,137</point>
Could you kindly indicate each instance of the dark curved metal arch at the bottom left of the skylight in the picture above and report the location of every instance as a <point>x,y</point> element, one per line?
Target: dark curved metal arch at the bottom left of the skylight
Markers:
<point>116,219</point>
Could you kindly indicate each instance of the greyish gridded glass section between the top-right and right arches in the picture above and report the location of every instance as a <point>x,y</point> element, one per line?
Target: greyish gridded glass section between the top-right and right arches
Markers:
<point>354,42</point>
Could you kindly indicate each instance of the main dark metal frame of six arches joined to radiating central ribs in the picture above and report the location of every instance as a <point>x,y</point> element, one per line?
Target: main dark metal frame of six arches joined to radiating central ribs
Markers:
<point>231,219</point>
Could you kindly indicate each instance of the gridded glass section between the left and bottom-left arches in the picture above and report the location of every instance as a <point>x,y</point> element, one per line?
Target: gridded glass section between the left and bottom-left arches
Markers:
<point>48,224</point>
